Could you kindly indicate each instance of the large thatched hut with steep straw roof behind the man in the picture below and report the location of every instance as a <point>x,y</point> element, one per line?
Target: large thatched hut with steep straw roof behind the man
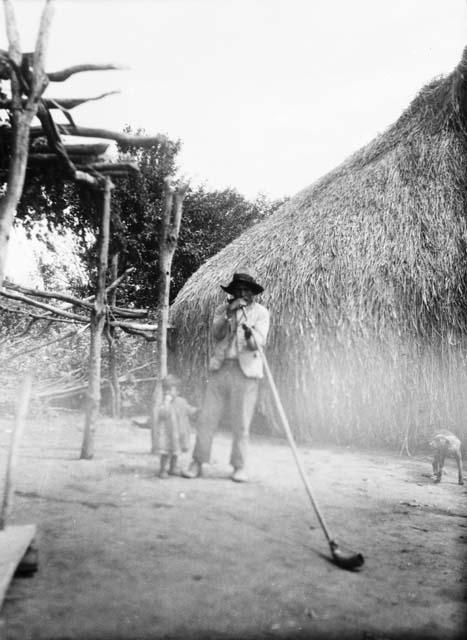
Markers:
<point>365,273</point>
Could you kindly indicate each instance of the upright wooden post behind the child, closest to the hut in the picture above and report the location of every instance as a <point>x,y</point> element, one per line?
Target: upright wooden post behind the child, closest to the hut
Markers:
<point>170,228</point>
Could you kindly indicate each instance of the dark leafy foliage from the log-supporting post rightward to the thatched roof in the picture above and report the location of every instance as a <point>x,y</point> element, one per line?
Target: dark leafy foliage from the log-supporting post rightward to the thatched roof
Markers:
<point>211,219</point>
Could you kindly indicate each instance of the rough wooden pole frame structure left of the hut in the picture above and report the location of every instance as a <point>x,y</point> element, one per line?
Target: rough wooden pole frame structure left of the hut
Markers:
<point>44,146</point>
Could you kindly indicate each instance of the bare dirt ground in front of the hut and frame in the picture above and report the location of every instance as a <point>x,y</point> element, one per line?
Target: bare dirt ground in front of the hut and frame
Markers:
<point>124,555</point>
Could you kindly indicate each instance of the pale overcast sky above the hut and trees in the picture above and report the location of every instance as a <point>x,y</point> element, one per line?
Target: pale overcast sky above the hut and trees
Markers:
<point>266,95</point>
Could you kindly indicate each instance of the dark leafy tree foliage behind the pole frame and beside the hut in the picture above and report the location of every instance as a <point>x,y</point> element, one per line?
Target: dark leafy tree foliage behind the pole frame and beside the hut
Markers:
<point>211,219</point>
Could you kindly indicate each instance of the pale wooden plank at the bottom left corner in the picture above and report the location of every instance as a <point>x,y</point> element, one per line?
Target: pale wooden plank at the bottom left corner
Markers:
<point>14,542</point>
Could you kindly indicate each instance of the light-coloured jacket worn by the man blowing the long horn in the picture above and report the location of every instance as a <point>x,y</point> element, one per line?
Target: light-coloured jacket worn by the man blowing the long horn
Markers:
<point>223,332</point>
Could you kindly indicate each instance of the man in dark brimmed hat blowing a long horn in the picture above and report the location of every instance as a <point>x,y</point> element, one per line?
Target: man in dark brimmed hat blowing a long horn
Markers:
<point>240,325</point>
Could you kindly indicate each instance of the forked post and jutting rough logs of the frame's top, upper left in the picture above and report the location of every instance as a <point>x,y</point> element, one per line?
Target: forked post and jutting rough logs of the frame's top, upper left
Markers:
<point>23,146</point>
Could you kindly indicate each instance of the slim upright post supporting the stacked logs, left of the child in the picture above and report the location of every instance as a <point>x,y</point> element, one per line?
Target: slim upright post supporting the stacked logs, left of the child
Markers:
<point>98,314</point>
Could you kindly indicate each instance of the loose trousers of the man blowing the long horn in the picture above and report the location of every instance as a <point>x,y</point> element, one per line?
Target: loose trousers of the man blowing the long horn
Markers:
<point>228,388</point>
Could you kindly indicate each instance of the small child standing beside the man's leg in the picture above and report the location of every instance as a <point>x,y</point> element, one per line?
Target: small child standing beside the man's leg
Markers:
<point>173,427</point>
